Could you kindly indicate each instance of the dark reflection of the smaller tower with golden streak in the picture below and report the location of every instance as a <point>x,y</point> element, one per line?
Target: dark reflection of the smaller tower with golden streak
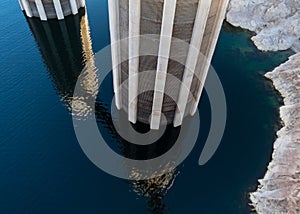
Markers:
<point>66,48</point>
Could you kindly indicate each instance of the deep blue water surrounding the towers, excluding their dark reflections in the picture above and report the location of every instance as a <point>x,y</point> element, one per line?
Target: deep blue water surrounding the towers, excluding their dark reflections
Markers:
<point>42,168</point>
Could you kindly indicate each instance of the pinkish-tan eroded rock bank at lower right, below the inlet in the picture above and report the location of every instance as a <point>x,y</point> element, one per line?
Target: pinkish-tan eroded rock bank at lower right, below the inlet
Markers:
<point>279,190</point>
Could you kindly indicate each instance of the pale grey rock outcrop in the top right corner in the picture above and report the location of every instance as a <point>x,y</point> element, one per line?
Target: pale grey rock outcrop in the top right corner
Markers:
<point>276,22</point>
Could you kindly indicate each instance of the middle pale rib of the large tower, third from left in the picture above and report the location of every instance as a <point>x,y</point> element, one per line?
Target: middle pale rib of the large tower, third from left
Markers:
<point>163,60</point>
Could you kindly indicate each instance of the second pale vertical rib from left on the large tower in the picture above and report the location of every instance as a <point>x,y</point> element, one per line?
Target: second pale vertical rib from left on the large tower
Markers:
<point>134,46</point>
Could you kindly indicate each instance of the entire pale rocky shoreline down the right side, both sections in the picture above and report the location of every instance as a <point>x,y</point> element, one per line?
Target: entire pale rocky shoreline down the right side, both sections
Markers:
<point>277,27</point>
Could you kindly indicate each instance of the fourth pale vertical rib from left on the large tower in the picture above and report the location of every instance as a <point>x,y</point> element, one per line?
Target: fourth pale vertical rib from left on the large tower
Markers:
<point>192,59</point>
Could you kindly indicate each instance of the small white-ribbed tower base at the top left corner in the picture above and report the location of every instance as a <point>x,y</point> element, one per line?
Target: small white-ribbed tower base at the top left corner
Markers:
<point>51,9</point>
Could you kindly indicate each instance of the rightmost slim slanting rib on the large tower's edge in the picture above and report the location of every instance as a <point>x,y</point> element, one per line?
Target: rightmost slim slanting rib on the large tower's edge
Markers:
<point>213,42</point>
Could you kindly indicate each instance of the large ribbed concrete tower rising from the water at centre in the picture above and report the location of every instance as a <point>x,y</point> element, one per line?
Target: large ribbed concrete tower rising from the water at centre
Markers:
<point>198,22</point>
